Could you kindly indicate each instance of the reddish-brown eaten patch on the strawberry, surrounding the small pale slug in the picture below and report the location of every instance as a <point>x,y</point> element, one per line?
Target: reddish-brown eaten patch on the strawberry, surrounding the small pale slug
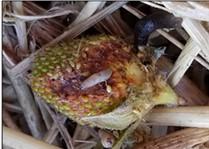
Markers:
<point>92,59</point>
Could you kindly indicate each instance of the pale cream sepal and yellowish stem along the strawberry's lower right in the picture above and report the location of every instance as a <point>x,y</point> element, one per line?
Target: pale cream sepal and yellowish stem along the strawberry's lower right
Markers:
<point>135,107</point>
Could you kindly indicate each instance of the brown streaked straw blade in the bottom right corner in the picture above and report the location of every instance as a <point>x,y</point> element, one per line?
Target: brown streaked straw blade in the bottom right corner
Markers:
<point>186,138</point>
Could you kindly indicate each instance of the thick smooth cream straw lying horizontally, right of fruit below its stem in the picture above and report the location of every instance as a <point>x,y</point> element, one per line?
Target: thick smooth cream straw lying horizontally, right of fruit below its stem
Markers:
<point>180,116</point>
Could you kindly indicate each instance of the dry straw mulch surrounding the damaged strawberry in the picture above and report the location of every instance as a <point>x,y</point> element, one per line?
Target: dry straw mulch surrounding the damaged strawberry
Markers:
<point>29,27</point>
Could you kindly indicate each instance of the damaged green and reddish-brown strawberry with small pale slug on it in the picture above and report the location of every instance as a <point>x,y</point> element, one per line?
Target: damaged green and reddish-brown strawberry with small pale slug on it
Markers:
<point>95,84</point>
